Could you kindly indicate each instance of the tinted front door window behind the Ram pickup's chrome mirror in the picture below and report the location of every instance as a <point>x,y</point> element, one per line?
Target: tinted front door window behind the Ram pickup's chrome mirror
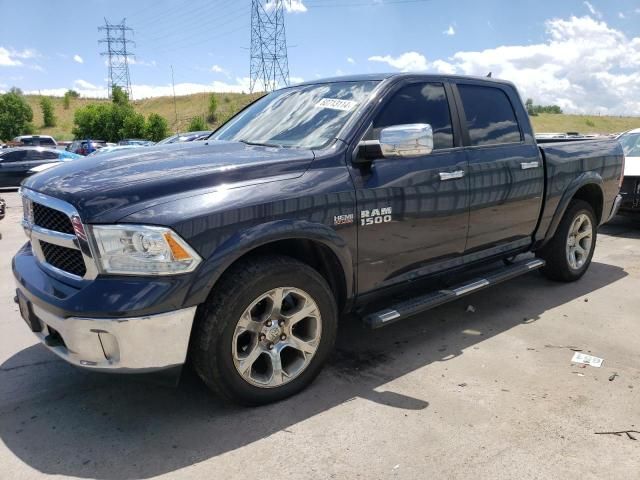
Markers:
<point>419,103</point>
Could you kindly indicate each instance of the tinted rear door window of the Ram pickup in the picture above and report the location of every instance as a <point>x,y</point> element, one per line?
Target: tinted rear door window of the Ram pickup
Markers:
<point>490,115</point>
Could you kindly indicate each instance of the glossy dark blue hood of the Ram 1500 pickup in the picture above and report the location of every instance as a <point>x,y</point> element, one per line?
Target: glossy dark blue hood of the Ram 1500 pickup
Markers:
<point>123,182</point>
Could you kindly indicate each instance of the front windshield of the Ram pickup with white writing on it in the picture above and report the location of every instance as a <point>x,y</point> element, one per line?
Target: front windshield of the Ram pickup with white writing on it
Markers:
<point>308,116</point>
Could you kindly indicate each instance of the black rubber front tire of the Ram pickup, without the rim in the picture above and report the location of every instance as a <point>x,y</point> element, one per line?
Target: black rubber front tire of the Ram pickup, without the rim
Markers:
<point>213,332</point>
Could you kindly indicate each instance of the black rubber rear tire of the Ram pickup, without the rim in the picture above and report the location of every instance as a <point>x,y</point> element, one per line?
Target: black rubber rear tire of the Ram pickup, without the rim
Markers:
<point>555,251</point>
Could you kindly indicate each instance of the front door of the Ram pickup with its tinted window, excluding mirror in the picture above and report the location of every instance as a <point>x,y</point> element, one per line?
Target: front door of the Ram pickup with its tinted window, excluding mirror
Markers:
<point>413,212</point>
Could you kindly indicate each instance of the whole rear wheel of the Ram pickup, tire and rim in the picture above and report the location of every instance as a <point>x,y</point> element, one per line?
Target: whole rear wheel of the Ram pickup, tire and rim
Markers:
<point>568,254</point>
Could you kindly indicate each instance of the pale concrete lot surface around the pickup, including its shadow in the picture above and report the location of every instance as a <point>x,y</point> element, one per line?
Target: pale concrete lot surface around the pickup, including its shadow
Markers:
<point>449,394</point>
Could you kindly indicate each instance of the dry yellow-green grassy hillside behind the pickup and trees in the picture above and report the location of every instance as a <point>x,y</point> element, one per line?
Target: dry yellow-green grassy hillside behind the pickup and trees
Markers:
<point>189,106</point>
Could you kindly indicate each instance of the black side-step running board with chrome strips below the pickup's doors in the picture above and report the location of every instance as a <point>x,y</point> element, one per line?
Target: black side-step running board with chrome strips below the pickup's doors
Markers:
<point>430,300</point>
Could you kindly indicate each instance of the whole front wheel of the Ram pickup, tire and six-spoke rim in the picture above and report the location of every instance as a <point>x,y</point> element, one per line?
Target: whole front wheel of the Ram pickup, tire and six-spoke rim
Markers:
<point>266,331</point>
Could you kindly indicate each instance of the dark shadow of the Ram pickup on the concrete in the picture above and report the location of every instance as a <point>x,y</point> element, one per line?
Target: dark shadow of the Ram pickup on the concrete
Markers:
<point>64,421</point>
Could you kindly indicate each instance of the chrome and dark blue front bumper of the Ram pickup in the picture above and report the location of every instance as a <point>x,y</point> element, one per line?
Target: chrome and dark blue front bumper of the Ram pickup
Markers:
<point>121,324</point>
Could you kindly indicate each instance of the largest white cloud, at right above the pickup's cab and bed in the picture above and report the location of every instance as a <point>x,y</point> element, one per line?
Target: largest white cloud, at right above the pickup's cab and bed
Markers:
<point>584,65</point>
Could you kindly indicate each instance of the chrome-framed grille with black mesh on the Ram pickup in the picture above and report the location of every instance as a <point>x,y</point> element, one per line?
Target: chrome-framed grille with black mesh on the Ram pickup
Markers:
<point>49,224</point>
